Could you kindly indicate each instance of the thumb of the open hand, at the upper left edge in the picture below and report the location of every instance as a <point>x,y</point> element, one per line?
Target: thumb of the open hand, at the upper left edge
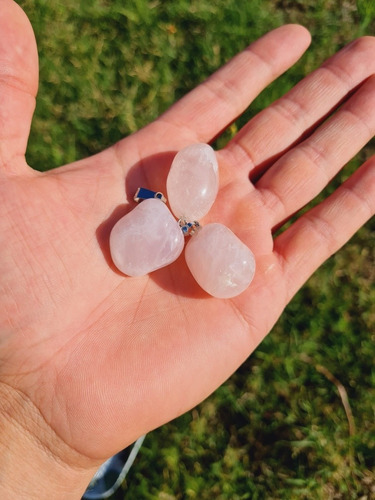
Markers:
<point>18,84</point>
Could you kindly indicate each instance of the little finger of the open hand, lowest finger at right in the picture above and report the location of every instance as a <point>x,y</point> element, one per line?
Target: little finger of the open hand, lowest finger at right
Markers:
<point>319,233</point>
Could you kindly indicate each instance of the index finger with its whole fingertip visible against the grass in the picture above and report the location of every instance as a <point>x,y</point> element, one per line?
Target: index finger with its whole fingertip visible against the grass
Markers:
<point>209,108</point>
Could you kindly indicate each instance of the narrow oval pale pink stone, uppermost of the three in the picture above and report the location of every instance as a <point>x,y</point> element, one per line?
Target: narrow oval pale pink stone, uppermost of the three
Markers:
<point>193,182</point>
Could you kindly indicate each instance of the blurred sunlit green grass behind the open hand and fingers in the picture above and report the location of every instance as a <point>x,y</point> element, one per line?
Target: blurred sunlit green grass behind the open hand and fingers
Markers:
<point>278,428</point>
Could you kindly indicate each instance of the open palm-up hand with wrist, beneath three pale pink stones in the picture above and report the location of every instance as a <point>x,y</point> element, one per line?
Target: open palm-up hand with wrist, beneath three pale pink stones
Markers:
<point>90,359</point>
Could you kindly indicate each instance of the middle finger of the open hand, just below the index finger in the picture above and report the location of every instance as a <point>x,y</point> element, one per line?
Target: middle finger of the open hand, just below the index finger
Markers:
<point>280,126</point>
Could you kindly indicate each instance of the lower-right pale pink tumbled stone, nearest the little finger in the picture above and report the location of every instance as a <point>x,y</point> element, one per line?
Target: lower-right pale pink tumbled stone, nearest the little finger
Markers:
<point>221,264</point>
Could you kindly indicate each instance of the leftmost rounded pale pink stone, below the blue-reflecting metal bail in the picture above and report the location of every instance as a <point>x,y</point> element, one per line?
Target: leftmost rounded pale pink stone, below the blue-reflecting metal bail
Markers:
<point>146,239</point>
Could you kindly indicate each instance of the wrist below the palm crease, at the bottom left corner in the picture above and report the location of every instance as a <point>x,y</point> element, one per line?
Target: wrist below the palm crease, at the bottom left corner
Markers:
<point>34,462</point>
